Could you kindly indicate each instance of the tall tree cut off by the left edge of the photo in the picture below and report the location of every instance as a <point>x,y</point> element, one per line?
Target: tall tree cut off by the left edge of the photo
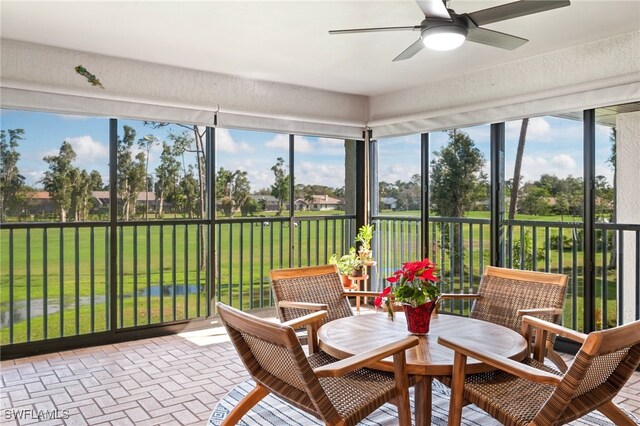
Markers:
<point>11,181</point>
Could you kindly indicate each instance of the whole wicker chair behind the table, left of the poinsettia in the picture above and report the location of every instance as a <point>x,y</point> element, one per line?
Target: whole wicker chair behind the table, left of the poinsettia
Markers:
<point>298,291</point>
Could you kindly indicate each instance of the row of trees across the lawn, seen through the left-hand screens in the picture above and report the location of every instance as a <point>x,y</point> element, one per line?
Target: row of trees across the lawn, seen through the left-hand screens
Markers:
<point>179,185</point>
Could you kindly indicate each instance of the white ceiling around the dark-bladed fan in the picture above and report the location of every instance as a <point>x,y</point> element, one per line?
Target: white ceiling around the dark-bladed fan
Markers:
<point>287,41</point>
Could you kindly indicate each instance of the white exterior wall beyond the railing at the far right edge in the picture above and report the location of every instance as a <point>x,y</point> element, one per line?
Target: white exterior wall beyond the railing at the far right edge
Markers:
<point>628,200</point>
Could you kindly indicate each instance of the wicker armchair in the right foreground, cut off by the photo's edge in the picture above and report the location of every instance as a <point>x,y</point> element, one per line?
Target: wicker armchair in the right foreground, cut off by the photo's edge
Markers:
<point>529,393</point>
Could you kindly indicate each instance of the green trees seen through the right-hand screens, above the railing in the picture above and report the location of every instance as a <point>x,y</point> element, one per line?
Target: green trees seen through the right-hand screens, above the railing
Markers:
<point>458,185</point>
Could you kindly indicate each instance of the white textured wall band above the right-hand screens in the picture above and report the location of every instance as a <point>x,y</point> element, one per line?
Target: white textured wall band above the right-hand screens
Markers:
<point>601,73</point>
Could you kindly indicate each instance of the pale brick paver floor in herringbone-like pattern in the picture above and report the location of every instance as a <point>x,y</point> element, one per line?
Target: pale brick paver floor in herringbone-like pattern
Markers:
<point>173,380</point>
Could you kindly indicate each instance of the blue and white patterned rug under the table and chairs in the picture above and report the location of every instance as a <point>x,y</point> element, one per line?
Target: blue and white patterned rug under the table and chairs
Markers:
<point>273,411</point>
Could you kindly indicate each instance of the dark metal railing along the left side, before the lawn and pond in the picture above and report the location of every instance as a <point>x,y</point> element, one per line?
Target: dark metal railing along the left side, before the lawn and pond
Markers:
<point>55,277</point>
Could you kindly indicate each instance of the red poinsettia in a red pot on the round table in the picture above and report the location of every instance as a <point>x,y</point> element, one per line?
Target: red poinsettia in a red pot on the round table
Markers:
<point>414,287</point>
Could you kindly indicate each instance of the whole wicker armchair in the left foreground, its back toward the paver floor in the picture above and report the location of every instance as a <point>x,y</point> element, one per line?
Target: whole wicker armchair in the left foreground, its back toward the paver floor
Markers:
<point>339,392</point>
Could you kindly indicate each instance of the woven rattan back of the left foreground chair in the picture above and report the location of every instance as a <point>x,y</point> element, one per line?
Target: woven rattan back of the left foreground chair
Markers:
<point>273,356</point>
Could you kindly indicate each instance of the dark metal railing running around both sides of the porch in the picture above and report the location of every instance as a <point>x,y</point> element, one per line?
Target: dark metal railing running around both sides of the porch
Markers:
<point>56,282</point>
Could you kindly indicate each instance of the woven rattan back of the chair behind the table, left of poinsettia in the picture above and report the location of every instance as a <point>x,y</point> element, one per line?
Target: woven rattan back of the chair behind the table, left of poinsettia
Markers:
<point>314,284</point>
